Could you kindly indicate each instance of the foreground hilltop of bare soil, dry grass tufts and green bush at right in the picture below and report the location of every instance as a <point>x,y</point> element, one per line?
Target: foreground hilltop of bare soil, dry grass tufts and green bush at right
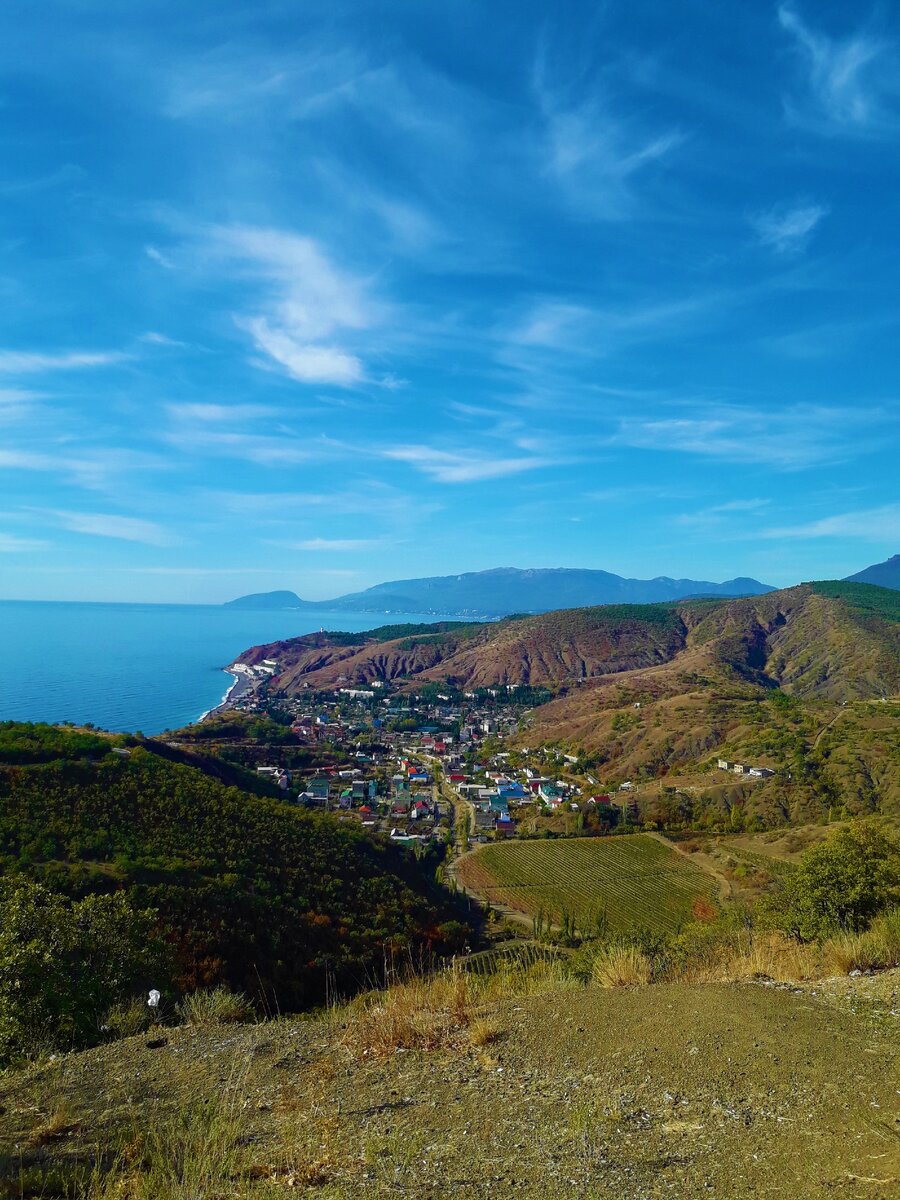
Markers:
<point>646,1047</point>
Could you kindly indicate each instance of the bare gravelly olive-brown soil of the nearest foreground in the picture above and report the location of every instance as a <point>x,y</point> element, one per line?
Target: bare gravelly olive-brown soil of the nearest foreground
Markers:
<point>758,1090</point>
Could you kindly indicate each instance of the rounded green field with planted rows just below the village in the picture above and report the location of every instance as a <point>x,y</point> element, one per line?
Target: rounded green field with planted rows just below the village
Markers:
<point>637,881</point>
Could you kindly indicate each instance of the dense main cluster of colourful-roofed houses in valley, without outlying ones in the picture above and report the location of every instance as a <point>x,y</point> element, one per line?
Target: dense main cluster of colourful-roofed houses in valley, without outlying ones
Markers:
<point>406,740</point>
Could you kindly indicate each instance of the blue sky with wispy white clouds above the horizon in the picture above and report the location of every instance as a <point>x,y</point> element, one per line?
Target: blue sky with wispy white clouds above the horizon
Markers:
<point>316,296</point>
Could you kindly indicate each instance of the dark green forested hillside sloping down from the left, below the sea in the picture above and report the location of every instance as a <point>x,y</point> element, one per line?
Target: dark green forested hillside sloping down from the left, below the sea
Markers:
<point>250,891</point>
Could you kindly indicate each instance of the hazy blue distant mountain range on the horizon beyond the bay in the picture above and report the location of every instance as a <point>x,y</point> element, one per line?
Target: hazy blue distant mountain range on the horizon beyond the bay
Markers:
<point>507,590</point>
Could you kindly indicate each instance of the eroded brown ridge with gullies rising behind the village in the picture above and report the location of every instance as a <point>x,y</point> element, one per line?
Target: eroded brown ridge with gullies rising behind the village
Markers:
<point>808,644</point>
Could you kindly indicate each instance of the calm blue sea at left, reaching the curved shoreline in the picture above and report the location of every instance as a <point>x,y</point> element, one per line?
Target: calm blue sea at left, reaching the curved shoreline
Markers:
<point>145,668</point>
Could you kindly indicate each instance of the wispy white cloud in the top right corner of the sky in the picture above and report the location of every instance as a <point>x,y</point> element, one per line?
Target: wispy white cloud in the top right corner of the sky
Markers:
<point>849,85</point>
